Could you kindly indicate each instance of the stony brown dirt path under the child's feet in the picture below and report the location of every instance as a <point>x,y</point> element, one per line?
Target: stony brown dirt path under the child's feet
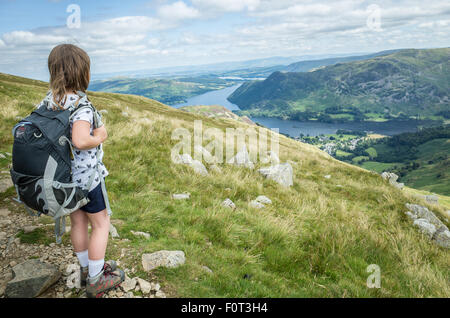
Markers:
<point>14,223</point>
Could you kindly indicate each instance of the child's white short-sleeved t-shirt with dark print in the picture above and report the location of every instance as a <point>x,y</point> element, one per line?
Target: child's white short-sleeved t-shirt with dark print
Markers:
<point>84,161</point>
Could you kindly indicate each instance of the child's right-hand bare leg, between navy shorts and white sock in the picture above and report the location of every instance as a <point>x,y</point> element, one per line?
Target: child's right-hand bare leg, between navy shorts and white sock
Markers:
<point>99,235</point>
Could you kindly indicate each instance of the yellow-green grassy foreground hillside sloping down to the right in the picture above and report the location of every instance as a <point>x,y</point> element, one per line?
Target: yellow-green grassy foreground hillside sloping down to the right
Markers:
<point>315,240</point>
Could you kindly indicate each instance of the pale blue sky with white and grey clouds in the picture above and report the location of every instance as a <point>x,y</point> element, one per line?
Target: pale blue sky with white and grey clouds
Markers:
<point>137,35</point>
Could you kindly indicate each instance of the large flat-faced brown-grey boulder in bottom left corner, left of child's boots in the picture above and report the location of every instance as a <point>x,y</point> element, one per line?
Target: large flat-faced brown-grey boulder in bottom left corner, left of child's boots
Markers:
<point>31,278</point>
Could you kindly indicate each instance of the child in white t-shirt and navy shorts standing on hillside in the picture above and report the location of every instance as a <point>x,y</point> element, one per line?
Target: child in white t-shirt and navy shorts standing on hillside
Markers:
<point>69,68</point>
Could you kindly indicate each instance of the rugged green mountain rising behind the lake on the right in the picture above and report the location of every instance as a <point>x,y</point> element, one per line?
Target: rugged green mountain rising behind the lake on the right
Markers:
<point>405,83</point>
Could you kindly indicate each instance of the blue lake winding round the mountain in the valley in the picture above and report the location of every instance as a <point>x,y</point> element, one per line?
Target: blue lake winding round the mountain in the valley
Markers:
<point>313,128</point>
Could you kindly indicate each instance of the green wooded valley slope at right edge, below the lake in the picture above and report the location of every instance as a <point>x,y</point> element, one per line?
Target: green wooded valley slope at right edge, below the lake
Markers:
<point>421,159</point>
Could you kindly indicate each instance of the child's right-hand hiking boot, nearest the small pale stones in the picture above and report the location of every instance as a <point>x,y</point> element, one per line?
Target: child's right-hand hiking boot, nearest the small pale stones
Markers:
<point>105,280</point>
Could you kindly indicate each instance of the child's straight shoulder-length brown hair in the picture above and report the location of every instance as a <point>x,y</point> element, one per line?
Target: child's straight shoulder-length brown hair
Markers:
<point>69,68</point>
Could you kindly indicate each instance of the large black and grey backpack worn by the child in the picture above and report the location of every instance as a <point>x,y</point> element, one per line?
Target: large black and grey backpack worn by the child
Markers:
<point>41,163</point>
